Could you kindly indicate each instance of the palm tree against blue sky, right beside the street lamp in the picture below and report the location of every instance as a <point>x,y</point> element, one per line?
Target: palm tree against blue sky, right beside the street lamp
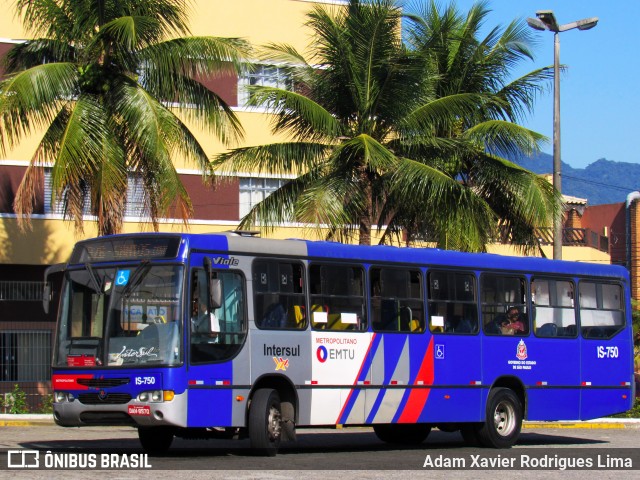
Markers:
<point>465,64</point>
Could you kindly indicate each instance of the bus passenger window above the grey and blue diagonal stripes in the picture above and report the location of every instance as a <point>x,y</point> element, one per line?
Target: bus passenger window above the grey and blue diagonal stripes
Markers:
<point>396,300</point>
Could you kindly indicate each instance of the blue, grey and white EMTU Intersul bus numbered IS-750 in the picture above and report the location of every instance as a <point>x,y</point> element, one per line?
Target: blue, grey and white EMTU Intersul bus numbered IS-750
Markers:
<point>221,335</point>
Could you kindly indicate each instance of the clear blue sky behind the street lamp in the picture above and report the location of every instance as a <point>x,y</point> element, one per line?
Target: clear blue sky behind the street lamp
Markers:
<point>599,94</point>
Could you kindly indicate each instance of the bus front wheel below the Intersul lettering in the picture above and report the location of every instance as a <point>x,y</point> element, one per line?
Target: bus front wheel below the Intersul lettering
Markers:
<point>265,422</point>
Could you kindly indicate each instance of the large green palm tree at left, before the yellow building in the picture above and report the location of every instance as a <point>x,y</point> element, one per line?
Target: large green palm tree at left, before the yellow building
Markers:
<point>106,80</point>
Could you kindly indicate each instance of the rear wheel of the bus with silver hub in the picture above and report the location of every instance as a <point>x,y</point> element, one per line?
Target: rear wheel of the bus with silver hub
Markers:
<point>504,419</point>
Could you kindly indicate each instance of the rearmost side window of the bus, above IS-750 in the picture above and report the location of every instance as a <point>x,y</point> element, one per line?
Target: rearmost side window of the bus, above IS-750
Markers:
<point>601,309</point>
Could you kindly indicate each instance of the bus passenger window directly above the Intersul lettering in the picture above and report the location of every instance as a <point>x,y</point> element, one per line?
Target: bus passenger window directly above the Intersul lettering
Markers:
<point>279,295</point>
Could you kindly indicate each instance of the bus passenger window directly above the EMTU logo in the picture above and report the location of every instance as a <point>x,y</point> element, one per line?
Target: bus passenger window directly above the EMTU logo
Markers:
<point>337,298</point>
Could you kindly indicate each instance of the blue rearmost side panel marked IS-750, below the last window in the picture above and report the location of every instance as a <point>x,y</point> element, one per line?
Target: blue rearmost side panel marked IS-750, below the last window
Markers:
<point>606,363</point>
